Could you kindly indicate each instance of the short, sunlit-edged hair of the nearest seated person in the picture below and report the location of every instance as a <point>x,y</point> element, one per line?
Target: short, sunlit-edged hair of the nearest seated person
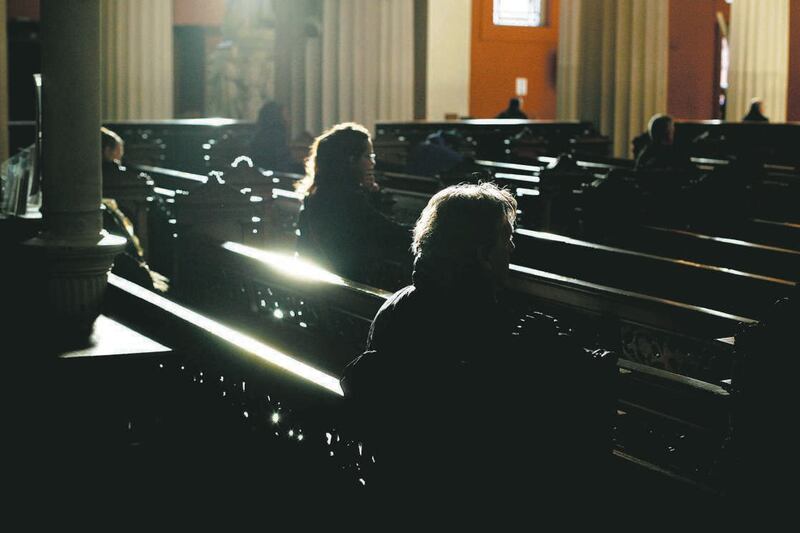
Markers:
<point>459,219</point>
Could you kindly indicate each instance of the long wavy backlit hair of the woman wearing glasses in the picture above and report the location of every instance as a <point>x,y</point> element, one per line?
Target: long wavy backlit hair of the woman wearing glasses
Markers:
<point>330,158</point>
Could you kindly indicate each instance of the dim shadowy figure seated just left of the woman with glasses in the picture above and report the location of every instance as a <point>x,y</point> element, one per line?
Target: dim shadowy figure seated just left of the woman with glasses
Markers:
<point>269,148</point>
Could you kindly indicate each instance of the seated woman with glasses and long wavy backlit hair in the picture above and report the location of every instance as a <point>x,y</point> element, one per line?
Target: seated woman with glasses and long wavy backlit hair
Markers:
<point>338,226</point>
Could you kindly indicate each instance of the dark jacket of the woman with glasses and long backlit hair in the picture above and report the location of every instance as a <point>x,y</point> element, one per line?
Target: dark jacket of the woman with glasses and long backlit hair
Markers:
<point>344,233</point>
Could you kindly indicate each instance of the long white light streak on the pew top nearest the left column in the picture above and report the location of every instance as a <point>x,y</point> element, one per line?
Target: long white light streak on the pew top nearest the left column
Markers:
<point>228,334</point>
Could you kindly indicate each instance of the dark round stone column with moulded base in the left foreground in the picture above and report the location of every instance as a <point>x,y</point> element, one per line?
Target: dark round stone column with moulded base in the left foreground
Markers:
<point>71,257</point>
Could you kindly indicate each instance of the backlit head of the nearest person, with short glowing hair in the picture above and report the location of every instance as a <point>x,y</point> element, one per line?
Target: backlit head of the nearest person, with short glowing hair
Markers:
<point>467,228</point>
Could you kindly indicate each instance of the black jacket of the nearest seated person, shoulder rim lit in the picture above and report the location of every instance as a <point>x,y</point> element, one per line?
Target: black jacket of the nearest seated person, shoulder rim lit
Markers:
<point>457,397</point>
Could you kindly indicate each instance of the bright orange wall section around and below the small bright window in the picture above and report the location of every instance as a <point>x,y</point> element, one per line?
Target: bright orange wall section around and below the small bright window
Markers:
<point>500,54</point>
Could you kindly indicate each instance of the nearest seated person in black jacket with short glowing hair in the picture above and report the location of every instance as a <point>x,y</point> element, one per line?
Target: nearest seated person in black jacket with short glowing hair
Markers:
<point>448,372</point>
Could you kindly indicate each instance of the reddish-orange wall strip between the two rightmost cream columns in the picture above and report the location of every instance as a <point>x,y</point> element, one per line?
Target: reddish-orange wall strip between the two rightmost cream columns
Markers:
<point>693,64</point>
